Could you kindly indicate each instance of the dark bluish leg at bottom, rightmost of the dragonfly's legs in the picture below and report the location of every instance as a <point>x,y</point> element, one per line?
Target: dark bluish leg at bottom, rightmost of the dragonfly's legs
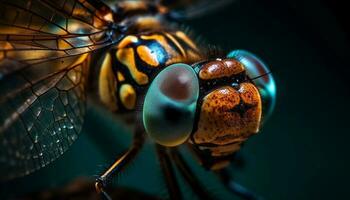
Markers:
<point>236,188</point>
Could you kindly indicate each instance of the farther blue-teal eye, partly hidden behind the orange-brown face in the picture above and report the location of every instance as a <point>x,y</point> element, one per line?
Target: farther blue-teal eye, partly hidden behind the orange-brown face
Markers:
<point>258,71</point>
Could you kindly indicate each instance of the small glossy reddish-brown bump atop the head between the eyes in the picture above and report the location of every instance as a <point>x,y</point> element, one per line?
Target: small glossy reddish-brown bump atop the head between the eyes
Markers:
<point>220,68</point>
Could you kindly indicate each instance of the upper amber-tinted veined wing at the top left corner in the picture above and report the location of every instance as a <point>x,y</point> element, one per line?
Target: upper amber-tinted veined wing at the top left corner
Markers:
<point>54,29</point>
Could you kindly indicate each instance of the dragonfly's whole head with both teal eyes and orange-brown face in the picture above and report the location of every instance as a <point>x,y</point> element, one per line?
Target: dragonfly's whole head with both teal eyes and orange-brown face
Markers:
<point>216,102</point>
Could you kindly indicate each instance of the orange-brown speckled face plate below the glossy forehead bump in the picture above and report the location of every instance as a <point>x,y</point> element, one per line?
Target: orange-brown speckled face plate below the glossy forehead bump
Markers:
<point>228,116</point>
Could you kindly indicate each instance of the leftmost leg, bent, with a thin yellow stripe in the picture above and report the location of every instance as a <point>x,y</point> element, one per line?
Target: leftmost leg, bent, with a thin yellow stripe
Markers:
<point>122,162</point>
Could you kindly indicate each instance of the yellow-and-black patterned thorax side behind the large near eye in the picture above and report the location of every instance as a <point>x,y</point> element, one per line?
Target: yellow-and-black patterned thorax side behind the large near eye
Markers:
<point>136,60</point>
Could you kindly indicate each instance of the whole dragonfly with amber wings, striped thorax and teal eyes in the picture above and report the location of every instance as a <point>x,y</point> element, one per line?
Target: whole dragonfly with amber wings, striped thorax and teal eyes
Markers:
<point>52,51</point>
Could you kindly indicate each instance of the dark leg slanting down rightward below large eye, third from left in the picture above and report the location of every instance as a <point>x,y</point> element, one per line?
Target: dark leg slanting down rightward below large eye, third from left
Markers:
<point>187,173</point>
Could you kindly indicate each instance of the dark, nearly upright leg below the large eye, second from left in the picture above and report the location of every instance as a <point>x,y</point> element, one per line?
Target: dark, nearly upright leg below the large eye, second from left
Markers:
<point>168,172</point>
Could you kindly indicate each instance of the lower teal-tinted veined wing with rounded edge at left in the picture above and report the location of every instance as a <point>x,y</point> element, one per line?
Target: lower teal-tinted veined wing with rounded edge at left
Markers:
<point>40,117</point>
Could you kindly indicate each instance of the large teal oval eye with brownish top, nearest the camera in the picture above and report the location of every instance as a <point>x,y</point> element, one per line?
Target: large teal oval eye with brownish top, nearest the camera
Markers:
<point>170,105</point>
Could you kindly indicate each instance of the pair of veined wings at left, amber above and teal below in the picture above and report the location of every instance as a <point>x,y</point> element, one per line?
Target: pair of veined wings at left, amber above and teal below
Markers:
<point>45,49</point>
